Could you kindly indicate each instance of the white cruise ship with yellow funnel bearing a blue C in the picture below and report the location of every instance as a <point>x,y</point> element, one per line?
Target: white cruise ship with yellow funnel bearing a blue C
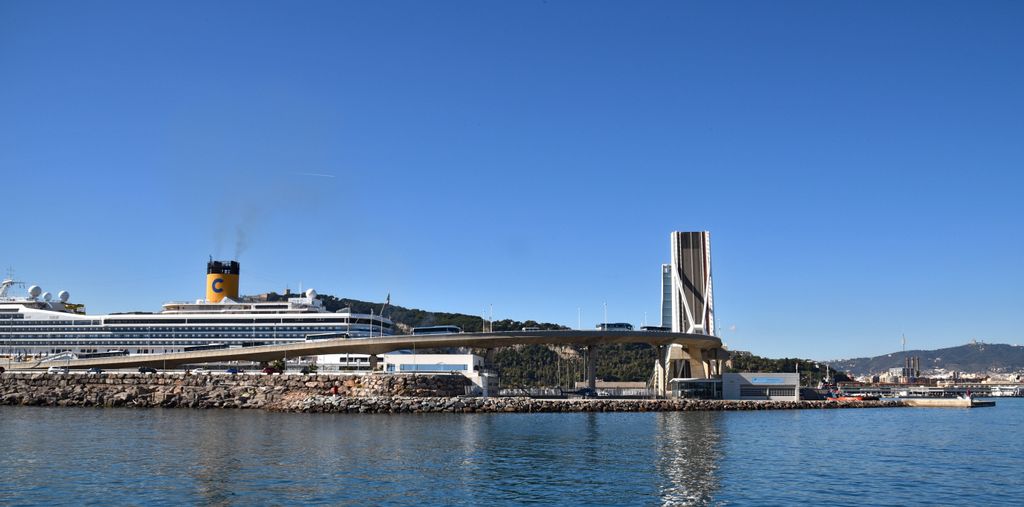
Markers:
<point>38,325</point>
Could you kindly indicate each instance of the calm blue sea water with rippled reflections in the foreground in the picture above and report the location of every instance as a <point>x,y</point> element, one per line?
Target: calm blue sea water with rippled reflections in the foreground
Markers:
<point>57,456</point>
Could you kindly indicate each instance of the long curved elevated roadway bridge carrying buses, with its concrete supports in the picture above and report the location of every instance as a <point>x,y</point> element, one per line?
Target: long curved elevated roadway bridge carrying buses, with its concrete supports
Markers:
<point>679,354</point>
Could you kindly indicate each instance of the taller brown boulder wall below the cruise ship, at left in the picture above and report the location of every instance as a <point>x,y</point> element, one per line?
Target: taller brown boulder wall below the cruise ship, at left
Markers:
<point>215,391</point>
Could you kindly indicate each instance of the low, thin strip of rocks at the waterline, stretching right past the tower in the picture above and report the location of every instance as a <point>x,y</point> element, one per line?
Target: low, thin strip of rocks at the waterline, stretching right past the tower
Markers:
<point>406,405</point>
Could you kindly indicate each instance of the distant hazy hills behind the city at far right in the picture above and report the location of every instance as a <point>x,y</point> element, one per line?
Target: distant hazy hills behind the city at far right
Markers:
<point>972,358</point>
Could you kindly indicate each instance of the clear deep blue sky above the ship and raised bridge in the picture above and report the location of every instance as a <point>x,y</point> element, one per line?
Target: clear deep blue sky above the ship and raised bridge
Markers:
<point>858,163</point>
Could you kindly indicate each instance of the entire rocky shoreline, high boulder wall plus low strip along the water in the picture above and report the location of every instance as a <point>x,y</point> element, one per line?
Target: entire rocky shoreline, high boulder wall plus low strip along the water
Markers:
<point>375,394</point>
